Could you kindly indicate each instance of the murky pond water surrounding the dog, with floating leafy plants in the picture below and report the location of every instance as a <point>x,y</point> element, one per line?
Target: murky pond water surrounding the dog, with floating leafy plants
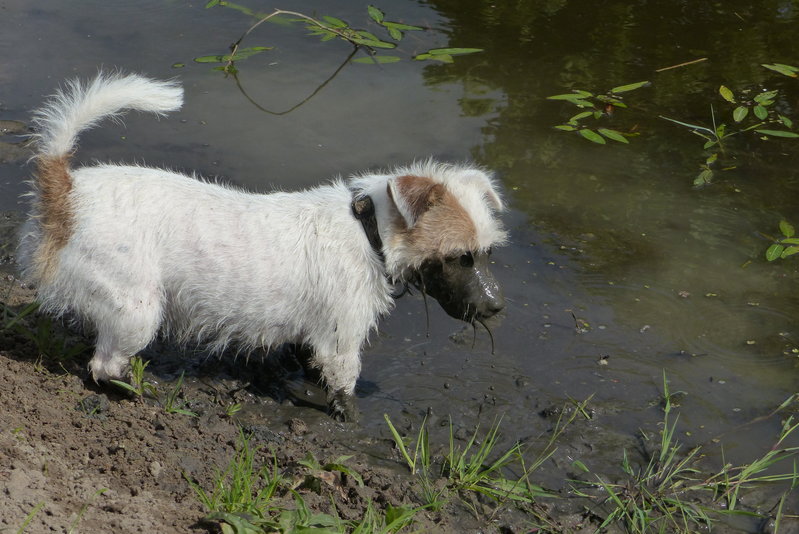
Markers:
<point>618,269</point>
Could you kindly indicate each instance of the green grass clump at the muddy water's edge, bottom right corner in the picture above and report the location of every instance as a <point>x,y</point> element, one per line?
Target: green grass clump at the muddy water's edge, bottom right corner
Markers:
<point>670,493</point>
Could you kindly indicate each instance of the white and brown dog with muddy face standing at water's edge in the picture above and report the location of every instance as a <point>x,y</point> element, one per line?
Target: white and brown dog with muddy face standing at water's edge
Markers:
<point>134,251</point>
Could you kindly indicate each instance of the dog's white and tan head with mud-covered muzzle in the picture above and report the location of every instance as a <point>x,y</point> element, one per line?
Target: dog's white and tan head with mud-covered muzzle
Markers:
<point>440,235</point>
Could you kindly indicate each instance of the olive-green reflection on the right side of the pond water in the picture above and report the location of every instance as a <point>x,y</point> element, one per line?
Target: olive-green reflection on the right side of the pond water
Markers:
<point>688,261</point>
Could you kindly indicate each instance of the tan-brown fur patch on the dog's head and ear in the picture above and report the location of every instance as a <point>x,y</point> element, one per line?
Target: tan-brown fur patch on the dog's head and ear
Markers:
<point>443,227</point>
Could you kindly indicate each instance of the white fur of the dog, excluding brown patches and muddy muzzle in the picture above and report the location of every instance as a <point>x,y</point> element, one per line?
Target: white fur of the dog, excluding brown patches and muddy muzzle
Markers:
<point>151,249</point>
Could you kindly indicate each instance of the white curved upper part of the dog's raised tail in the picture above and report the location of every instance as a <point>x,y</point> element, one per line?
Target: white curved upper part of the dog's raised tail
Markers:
<point>79,107</point>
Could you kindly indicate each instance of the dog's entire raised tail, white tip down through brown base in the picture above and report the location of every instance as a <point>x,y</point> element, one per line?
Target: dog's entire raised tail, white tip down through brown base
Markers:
<point>70,111</point>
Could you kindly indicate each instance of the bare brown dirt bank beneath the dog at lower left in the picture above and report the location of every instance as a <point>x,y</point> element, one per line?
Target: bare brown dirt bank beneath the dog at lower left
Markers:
<point>75,457</point>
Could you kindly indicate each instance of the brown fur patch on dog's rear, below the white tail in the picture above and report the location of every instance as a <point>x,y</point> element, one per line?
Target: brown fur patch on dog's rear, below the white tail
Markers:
<point>54,185</point>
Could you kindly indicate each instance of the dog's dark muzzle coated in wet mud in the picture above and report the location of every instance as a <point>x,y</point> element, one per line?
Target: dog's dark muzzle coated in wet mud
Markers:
<point>463,285</point>
